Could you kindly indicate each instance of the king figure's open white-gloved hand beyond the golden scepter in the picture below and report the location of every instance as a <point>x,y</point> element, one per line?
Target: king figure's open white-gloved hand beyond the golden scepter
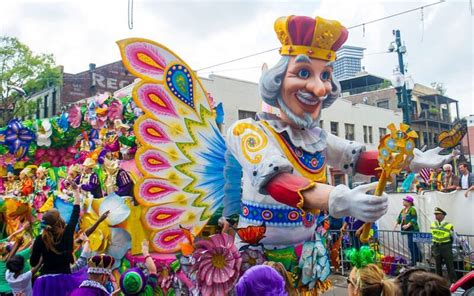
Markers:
<point>429,159</point>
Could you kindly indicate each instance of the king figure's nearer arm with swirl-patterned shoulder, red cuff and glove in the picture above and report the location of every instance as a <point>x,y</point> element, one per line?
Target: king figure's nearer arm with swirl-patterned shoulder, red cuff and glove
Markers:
<point>272,173</point>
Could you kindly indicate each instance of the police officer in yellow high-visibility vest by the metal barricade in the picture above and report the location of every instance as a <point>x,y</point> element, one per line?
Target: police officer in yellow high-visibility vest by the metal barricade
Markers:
<point>442,248</point>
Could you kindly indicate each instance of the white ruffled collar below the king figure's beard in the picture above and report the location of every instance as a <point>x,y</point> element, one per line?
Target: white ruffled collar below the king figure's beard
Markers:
<point>310,140</point>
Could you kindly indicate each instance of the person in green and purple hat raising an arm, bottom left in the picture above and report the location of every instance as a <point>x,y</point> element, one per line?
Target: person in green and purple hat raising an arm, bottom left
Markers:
<point>135,282</point>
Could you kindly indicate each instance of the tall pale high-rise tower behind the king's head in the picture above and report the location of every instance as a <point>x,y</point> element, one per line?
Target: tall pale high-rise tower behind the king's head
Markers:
<point>348,61</point>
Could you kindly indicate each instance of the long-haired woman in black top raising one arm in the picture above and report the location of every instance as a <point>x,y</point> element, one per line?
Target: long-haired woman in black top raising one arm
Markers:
<point>55,245</point>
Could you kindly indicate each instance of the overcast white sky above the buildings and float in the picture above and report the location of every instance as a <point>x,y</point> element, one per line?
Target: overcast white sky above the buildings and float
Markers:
<point>205,33</point>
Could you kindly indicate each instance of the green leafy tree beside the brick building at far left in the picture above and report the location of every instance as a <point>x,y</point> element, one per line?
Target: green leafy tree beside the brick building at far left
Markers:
<point>22,73</point>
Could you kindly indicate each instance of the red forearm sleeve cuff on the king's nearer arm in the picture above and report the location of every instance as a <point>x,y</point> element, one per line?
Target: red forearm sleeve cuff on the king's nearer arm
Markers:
<point>286,188</point>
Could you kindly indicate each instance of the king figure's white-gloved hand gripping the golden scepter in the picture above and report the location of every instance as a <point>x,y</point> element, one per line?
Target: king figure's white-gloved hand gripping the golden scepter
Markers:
<point>357,203</point>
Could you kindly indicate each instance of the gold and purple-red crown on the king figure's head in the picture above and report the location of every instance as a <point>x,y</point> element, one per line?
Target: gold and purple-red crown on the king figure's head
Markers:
<point>326,33</point>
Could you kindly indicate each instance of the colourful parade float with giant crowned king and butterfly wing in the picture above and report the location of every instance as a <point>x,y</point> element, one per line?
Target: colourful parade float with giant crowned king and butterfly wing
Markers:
<point>159,163</point>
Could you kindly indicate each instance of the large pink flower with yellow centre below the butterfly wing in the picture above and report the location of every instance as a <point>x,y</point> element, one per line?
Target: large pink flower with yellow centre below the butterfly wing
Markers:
<point>217,264</point>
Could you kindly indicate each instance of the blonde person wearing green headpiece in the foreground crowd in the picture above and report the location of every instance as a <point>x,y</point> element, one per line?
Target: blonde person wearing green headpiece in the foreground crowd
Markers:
<point>366,278</point>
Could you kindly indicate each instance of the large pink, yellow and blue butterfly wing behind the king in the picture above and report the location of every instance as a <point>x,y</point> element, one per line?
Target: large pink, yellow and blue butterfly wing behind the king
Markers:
<point>181,153</point>
